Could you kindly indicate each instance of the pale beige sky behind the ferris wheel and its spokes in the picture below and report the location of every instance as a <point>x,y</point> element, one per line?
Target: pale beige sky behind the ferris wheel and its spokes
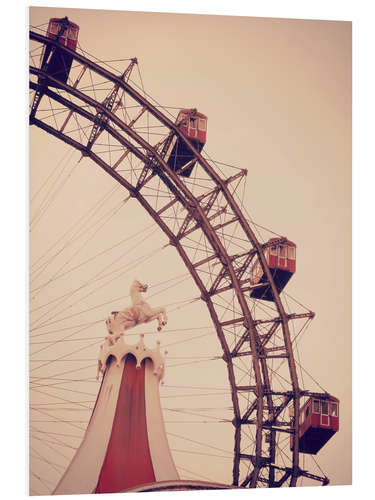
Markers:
<point>277,94</point>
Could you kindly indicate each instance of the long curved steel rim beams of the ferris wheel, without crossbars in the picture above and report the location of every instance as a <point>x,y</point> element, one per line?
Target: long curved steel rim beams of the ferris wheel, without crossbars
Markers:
<point>179,189</point>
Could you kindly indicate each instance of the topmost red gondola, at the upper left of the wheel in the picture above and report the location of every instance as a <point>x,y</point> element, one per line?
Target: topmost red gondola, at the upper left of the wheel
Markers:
<point>54,61</point>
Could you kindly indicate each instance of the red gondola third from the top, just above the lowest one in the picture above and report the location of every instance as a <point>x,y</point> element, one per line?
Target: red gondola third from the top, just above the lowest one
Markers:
<point>281,259</point>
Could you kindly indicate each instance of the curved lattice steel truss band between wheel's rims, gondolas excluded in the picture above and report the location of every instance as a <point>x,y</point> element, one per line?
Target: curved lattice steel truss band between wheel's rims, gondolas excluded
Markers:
<point>102,115</point>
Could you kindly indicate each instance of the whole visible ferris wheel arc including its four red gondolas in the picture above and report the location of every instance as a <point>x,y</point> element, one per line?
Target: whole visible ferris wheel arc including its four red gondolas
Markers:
<point>239,272</point>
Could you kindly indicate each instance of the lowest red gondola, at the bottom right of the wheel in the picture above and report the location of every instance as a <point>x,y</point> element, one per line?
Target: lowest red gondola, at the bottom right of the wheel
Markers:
<point>319,421</point>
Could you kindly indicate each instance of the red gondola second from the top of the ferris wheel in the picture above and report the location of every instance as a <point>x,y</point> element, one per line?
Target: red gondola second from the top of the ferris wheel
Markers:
<point>175,152</point>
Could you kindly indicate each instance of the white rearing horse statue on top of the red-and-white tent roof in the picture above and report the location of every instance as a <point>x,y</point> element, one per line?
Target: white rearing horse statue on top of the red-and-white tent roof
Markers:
<point>139,312</point>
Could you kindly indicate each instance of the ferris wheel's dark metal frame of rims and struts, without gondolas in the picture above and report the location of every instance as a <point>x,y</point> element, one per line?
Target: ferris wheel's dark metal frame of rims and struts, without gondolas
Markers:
<point>266,406</point>
